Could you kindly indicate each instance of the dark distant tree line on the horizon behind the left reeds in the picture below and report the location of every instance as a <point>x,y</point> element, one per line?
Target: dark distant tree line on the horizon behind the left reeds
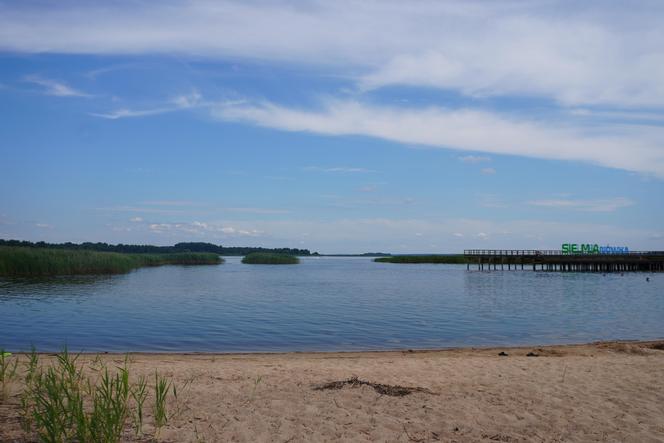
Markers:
<point>151,249</point>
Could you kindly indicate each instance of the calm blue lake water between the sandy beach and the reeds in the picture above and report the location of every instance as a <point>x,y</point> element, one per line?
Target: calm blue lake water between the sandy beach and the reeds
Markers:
<point>325,304</point>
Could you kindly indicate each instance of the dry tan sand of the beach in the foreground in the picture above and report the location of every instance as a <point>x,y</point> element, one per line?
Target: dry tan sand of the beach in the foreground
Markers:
<point>597,392</point>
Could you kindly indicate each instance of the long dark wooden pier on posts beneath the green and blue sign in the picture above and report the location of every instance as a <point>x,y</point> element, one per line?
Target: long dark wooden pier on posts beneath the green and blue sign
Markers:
<point>556,261</point>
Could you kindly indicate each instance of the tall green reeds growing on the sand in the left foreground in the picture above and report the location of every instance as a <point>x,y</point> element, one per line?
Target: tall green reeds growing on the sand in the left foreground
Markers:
<point>67,401</point>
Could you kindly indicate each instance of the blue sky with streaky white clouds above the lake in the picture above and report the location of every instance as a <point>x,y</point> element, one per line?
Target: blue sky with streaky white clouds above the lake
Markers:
<point>341,127</point>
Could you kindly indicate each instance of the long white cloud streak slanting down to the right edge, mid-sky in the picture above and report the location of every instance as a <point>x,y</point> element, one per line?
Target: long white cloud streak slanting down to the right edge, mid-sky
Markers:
<point>631,148</point>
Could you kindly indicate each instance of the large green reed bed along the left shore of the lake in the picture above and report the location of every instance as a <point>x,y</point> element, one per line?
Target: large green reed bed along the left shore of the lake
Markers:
<point>29,262</point>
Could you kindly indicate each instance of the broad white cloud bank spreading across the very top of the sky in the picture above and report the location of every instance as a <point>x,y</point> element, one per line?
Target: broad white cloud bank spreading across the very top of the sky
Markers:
<point>571,52</point>
